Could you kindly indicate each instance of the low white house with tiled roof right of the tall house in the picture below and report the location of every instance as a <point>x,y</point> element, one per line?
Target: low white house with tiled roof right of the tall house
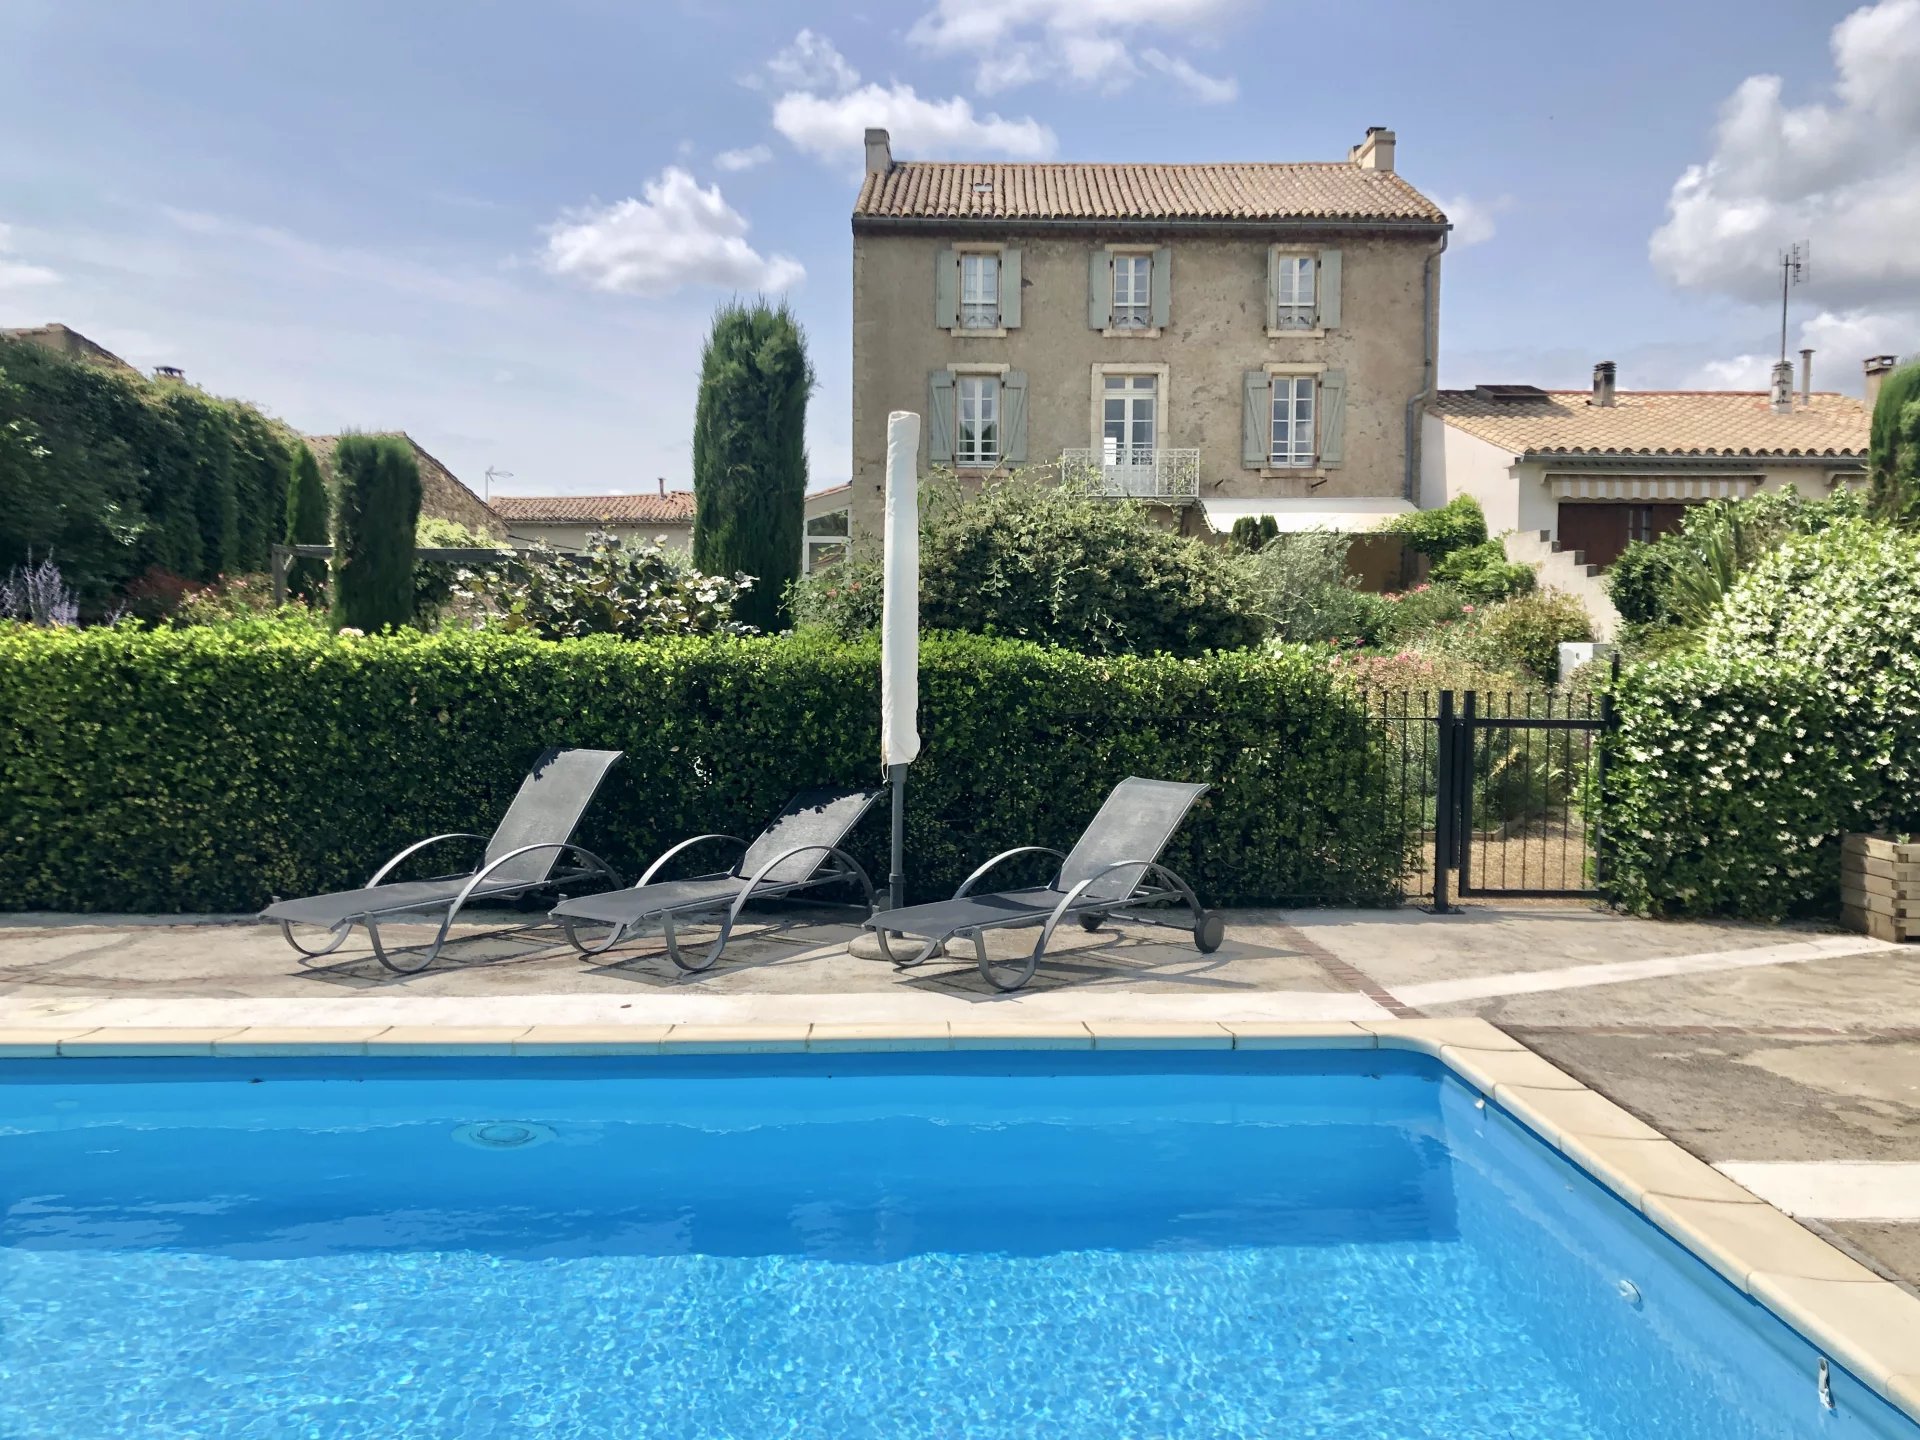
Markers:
<point>1575,475</point>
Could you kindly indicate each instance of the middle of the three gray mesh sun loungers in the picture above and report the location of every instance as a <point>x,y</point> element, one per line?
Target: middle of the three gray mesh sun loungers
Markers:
<point>800,850</point>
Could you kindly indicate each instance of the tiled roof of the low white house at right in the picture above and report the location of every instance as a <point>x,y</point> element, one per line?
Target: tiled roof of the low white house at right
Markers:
<point>1723,423</point>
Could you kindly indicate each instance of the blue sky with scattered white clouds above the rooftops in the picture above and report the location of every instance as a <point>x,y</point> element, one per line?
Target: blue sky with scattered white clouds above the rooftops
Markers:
<point>504,228</point>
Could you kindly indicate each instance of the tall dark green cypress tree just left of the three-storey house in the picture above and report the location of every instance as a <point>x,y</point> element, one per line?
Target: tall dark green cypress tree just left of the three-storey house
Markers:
<point>750,456</point>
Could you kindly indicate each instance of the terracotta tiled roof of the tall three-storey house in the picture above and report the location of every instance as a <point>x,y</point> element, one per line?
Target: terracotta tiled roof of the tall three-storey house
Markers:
<point>1332,191</point>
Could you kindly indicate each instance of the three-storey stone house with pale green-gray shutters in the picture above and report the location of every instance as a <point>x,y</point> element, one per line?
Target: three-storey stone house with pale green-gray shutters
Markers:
<point>1199,337</point>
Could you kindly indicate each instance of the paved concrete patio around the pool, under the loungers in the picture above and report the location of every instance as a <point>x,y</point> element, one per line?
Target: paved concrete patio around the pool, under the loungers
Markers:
<point>1790,1057</point>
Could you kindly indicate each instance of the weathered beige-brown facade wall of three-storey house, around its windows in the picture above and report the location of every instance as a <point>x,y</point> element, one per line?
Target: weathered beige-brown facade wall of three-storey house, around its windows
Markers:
<point>1216,331</point>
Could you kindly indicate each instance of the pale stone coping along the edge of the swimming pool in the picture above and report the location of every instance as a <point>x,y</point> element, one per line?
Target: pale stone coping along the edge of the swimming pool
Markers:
<point>1860,1320</point>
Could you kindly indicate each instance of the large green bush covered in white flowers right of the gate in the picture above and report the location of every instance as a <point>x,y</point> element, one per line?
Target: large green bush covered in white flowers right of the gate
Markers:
<point>1739,765</point>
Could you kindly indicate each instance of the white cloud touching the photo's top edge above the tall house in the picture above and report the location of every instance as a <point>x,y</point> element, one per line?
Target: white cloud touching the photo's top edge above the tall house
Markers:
<point>1026,41</point>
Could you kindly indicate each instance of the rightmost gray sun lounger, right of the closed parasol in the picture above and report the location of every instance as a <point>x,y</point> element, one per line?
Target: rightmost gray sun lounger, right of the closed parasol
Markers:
<point>1113,867</point>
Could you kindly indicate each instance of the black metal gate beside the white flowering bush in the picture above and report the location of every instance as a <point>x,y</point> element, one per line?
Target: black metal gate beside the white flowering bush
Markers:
<point>1516,784</point>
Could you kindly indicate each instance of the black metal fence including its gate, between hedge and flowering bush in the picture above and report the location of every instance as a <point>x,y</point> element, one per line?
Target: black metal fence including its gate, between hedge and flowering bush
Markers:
<point>1497,790</point>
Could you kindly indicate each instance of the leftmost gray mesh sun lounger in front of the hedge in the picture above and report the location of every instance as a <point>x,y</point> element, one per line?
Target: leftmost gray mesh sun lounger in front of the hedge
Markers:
<point>521,857</point>
